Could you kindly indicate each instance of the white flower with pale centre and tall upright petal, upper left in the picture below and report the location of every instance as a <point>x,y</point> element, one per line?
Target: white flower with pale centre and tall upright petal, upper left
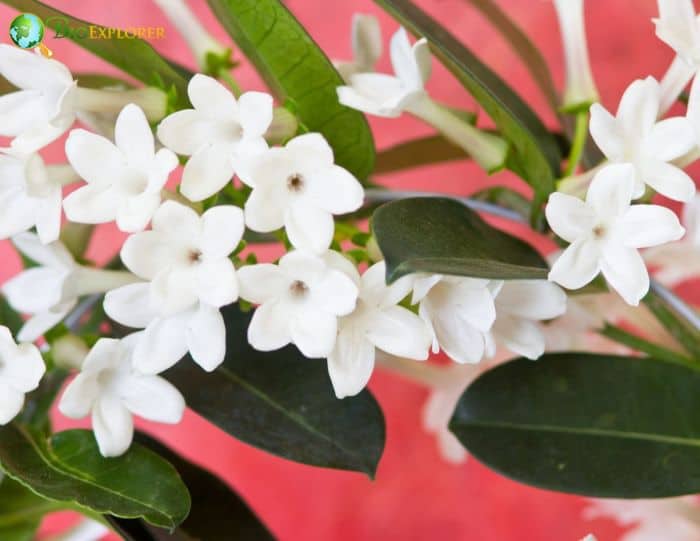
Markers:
<point>124,180</point>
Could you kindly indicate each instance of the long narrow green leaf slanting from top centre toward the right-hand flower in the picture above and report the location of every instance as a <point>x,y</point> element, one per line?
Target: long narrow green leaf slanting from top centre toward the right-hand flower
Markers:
<point>537,156</point>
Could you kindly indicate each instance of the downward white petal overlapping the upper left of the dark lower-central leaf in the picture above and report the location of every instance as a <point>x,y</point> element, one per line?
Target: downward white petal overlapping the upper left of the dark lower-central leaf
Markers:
<point>206,337</point>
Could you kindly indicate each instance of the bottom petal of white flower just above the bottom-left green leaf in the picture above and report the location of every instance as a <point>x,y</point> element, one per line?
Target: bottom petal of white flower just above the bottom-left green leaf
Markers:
<point>113,426</point>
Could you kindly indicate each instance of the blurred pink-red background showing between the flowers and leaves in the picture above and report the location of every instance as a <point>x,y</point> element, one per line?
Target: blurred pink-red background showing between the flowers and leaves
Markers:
<point>416,495</point>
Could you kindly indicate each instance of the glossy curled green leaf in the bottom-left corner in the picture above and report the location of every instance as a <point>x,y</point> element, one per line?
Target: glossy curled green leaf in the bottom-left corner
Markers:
<point>69,468</point>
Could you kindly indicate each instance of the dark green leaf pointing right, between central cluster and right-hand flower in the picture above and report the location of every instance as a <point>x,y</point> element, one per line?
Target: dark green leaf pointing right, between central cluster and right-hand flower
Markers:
<point>439,235</point>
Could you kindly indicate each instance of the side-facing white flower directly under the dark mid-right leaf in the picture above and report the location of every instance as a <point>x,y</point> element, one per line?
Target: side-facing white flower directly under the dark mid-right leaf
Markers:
<point>459,312</point>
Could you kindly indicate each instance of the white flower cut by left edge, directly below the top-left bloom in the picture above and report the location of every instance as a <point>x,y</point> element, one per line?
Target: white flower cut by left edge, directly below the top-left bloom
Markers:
<point>29,196</point>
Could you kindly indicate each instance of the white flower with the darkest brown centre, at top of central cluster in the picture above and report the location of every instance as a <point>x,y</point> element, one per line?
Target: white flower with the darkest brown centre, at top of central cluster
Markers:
<point>299,187</point>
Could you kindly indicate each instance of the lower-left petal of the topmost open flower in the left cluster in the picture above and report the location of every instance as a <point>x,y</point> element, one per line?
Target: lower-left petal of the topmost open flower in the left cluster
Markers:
<point>208,170</point>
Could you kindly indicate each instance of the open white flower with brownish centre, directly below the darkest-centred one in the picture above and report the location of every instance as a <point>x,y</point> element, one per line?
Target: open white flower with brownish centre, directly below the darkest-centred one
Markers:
<point>300,300</point>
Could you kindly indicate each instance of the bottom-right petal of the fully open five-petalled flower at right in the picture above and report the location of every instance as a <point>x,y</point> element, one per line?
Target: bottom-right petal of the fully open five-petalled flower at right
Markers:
<point>625,271</point>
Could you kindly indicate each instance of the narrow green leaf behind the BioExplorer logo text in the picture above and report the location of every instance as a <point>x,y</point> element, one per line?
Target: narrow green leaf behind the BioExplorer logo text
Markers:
<point>133,56</point>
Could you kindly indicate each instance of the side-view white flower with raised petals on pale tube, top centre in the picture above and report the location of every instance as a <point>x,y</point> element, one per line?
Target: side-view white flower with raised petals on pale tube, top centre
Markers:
<point>389,95</point>
